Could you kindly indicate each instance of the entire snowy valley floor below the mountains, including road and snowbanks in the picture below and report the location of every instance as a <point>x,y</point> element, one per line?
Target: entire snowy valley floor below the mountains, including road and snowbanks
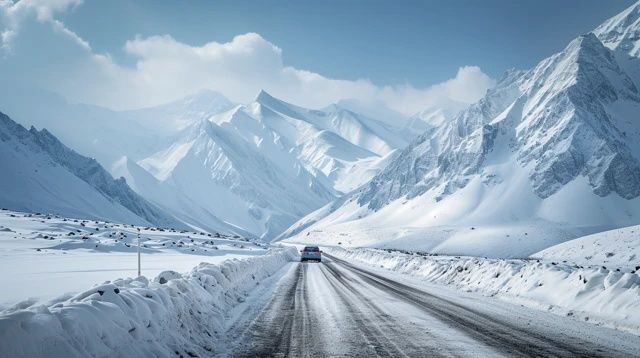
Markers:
<point>264,301</point>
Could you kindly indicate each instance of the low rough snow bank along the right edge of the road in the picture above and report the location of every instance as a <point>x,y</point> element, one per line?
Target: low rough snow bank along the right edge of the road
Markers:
<point>596,294</point>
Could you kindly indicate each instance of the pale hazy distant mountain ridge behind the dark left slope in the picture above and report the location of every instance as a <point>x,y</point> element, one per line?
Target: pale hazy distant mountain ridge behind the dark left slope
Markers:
<point>105,134</point>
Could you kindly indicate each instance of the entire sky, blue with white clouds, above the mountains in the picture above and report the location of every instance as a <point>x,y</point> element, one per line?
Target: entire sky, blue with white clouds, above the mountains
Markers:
<point>406,56</point>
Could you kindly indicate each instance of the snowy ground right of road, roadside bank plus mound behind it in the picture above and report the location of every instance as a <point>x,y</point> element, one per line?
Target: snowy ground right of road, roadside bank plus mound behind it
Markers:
<point>600,290</point>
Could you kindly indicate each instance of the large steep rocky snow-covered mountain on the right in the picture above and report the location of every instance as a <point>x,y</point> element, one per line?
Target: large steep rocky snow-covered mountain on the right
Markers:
<point>548,154</point>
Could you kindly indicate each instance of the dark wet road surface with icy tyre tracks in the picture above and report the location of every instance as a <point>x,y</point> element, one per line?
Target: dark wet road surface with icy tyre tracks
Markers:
<point>338,309</point>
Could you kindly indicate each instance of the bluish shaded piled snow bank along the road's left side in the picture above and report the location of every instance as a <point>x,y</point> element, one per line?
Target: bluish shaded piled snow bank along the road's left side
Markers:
<point>173,315</point>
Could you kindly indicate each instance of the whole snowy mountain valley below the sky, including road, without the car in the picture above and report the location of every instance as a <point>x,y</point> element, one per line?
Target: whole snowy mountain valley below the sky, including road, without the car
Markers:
<point>508,228</point>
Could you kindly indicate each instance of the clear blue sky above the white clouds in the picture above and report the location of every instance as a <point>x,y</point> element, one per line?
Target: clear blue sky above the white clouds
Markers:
<point>389,42</point>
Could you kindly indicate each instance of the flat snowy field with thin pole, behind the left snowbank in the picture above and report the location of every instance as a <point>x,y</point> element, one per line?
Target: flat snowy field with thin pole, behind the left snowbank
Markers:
<point>43,257</point>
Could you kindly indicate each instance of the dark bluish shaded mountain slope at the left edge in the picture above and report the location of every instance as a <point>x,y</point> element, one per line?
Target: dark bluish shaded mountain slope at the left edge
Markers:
<point>39,173</point>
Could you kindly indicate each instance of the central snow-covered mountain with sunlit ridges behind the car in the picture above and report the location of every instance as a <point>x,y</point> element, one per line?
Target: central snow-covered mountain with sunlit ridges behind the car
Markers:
<point>257,168</point>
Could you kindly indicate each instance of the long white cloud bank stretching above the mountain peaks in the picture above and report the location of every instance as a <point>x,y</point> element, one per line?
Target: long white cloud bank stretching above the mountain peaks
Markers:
<point>166,69</point>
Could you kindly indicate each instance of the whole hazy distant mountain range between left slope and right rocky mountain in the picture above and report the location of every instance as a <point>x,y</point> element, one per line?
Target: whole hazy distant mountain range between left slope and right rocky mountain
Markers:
<point>244,169</point>
